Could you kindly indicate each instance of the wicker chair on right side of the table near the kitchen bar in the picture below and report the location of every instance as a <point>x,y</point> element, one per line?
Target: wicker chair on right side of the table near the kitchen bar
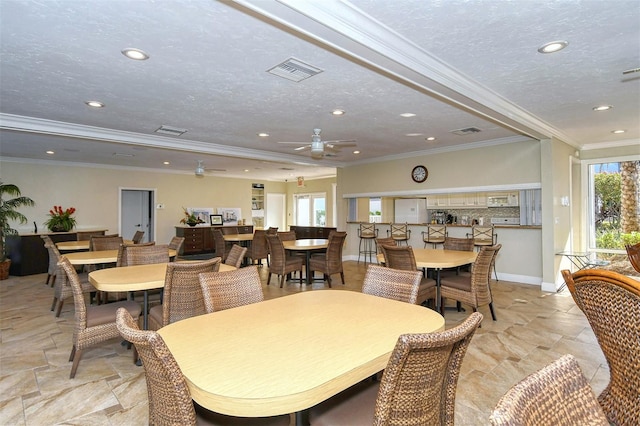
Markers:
<point>472,289</point>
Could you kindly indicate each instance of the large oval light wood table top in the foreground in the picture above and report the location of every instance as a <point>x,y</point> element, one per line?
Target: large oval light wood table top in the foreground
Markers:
<point>287,354</point>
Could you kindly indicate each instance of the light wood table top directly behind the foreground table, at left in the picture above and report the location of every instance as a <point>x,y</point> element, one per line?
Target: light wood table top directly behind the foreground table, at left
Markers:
<point>134,278</point>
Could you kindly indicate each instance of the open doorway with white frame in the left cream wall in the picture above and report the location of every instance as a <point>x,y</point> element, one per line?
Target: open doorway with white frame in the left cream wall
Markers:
<point>137,213</point>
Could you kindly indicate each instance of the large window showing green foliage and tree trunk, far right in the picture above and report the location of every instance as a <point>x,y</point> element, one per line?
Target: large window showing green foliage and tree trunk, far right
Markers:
<point>613,203</point>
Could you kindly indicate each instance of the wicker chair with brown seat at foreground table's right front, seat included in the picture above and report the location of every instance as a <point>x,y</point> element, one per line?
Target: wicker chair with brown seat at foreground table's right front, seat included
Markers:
<point>418,386</point>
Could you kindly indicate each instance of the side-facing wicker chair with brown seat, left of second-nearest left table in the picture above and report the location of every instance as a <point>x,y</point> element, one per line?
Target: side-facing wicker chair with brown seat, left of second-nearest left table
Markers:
<point>93,324</point>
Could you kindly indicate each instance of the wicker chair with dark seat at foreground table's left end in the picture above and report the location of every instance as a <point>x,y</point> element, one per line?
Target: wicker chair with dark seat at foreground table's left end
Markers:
<point>170,401</point>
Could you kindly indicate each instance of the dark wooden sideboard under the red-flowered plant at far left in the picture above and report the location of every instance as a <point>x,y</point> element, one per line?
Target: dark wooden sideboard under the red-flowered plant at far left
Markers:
<point>27,252</point>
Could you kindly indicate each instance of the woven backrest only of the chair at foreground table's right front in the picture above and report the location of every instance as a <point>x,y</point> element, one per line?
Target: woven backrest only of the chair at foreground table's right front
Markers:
<point>418,386</point>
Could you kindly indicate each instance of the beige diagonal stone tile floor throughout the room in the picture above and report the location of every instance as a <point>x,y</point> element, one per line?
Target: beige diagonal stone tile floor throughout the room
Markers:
<point>533,329</point>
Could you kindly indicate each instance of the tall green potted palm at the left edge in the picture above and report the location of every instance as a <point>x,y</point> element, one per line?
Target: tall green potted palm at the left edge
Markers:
<point>8,211</point>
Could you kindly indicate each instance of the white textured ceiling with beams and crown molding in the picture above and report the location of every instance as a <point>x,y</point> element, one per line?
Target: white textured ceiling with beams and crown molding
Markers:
<point>455,64</point>
